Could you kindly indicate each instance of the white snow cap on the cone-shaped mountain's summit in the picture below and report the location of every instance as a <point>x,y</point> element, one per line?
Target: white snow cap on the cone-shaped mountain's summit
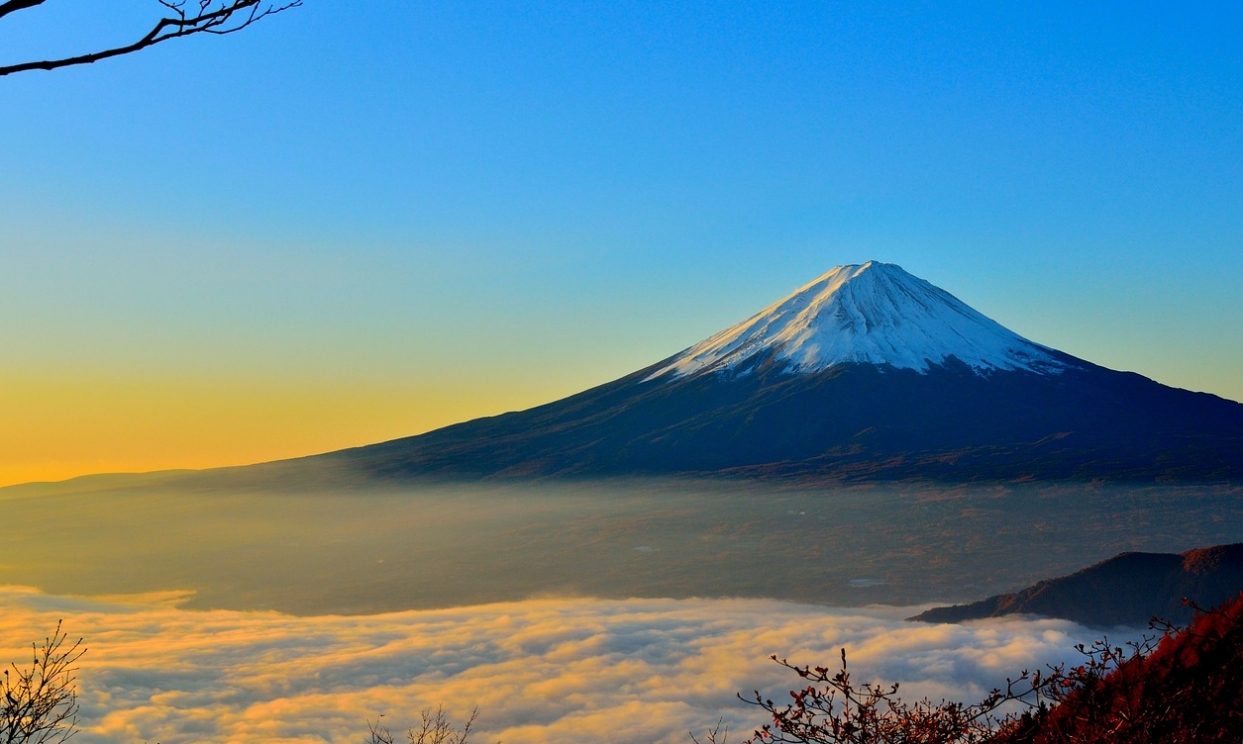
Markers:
<point>871,314</point>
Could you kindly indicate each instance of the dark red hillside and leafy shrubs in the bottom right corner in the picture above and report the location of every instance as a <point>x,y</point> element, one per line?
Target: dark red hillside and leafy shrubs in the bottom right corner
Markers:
<point>1181,687</point>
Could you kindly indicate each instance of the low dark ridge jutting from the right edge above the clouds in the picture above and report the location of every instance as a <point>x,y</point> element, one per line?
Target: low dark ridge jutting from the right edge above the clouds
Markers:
<point>1128,589</point>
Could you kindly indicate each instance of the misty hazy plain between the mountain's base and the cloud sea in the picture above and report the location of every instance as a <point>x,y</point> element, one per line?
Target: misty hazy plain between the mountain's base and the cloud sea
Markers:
<point>367,550</point>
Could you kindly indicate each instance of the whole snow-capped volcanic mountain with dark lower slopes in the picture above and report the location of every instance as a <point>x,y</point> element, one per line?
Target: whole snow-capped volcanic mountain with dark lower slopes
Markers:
<point>867,373</point>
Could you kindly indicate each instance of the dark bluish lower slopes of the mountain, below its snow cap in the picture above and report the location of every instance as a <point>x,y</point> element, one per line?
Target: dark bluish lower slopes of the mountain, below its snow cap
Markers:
<point>853,422</point>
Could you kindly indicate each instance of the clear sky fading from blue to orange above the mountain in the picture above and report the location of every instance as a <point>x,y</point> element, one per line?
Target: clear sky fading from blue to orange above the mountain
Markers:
<point>364,220</point>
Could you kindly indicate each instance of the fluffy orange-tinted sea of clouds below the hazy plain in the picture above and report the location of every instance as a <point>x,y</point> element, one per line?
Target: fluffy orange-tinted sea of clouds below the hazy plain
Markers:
<point>540,671</point>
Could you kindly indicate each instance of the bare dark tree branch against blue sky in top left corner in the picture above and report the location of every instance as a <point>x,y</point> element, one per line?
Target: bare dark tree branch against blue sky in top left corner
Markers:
<point>206,17</point>
